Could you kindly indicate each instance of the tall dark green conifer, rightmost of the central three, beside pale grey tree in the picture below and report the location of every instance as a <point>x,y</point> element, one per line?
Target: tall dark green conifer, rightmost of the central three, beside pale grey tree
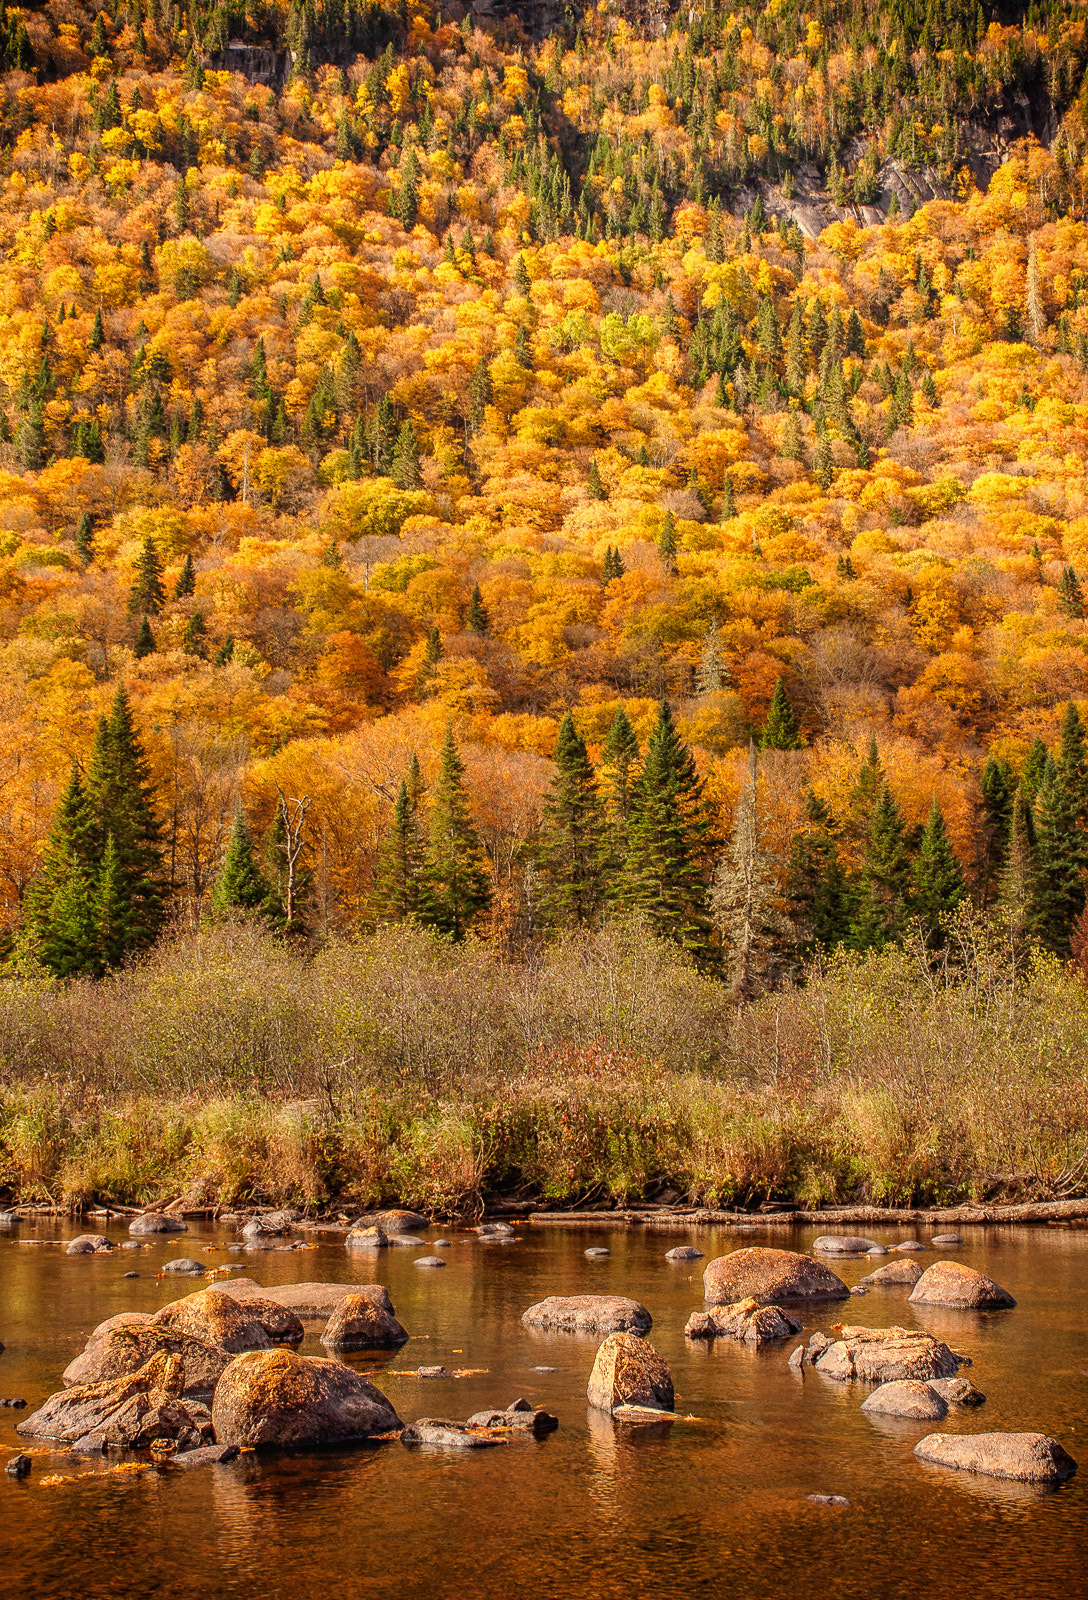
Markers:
<point>666,873</point>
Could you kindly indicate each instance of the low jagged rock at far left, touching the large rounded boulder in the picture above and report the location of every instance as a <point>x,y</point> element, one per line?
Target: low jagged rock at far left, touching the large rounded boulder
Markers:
<point>129,1412</point>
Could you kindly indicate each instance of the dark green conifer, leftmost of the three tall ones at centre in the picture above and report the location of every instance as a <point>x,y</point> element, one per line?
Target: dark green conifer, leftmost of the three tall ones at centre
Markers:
<point>570,852</point>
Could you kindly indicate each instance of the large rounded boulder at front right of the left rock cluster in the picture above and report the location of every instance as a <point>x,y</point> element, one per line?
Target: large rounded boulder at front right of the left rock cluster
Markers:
<point>278,1398</point>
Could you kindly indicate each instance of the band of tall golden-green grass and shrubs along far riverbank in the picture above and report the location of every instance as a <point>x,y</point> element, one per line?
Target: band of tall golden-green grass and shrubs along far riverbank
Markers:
<point>234,1068</point>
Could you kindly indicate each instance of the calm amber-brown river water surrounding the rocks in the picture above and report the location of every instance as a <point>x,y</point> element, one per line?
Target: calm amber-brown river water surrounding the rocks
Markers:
<point>599,1510</point>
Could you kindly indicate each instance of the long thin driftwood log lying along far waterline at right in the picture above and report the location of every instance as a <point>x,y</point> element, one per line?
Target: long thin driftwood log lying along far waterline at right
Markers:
<point>1030,1212</point>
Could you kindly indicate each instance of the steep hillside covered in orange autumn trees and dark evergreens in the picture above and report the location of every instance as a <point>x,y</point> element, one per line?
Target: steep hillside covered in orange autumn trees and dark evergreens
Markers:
<point>503,470</point>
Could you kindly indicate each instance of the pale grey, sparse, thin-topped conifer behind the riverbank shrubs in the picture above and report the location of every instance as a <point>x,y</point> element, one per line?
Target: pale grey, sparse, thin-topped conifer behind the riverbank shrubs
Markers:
<point>745,898</point>
